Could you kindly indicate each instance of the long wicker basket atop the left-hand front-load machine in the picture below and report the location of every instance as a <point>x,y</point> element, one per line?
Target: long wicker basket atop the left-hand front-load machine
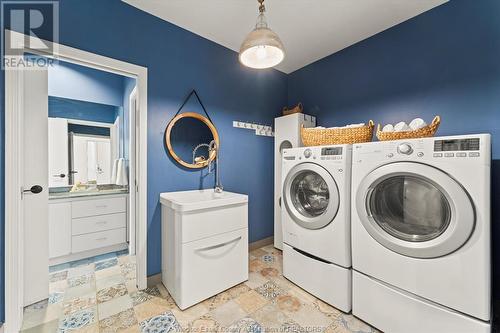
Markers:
<point>337,136</point>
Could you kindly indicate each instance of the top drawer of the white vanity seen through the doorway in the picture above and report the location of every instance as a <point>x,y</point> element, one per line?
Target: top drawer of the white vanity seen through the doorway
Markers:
<point>93,207</point>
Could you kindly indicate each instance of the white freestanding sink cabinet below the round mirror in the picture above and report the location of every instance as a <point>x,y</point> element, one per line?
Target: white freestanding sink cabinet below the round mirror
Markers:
<point>204,243</point>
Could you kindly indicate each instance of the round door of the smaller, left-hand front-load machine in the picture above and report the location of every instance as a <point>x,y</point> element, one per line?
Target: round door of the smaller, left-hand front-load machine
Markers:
<point>311,196</point>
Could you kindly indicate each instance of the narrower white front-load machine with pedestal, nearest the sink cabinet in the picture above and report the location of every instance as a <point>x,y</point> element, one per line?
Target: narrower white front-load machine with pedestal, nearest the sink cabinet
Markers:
<point>316,221</point>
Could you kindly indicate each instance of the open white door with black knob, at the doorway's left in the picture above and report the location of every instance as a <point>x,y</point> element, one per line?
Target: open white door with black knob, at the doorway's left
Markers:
<point>35,170</point>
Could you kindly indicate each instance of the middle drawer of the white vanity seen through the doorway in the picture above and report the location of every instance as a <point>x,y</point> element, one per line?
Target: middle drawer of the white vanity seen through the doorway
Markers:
<point>86,225</point>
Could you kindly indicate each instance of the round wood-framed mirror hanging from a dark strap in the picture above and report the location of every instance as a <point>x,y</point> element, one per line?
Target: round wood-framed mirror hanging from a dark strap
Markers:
<point>188,137</point>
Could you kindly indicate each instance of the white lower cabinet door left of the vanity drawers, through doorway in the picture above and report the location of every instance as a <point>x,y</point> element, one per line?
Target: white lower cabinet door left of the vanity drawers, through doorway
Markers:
<point>59,229</point>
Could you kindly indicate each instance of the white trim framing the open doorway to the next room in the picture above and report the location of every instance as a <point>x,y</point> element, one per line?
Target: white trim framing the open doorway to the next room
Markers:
<point>13,147</point>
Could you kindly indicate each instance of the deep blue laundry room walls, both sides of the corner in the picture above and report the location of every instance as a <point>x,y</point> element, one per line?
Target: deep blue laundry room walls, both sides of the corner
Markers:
<point>442,62</point>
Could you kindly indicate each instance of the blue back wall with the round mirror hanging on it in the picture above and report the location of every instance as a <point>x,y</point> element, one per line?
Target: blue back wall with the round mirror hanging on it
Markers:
<point>177,62</point>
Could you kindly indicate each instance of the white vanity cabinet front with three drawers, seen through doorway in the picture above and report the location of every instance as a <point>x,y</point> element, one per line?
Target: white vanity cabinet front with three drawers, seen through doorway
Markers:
<point>88,226</point>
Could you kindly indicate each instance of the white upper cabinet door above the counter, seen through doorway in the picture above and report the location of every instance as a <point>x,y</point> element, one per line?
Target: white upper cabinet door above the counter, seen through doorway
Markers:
<point>58,152</point>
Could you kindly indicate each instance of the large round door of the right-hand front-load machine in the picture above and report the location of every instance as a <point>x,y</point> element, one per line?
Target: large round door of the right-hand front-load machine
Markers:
<point>415,209</point>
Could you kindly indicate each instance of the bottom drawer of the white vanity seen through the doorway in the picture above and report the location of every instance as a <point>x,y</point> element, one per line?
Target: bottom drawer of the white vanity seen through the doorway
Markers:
<point>98,239</point>
